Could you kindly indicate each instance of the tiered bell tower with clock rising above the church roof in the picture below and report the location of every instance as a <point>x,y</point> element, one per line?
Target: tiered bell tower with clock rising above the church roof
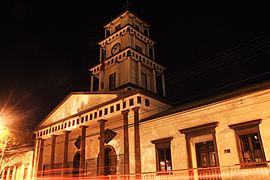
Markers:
<point>127,58</point>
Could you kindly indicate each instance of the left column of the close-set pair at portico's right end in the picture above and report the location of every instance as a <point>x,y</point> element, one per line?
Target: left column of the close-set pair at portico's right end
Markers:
<point>126,141</point>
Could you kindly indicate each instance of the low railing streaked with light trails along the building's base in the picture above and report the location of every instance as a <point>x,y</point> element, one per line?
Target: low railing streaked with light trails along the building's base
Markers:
<point>235,172</point>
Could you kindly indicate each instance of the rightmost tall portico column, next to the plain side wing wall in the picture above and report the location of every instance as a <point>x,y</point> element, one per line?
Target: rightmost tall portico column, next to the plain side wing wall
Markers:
<point>137,140</point>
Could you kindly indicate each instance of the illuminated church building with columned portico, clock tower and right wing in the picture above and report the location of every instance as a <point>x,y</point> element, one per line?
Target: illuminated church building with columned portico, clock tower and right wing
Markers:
<point>125,126</point>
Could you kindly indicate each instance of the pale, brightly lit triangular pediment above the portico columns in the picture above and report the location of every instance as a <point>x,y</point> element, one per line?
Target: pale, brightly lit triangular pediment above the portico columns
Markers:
<point>75,103</point>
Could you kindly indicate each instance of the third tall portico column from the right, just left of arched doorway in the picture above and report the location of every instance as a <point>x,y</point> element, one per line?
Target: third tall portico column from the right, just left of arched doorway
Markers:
<point>101,146</point>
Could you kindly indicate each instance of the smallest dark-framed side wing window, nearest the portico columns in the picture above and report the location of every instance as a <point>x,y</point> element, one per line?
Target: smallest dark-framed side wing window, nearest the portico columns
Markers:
<point>163,154</point>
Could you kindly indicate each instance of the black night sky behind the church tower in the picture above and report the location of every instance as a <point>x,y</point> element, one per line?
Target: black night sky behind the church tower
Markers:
<point>46,48</point>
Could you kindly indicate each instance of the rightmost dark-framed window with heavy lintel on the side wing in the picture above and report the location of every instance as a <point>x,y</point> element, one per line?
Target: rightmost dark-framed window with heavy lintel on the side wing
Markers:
<point>249,143</point>
